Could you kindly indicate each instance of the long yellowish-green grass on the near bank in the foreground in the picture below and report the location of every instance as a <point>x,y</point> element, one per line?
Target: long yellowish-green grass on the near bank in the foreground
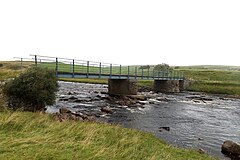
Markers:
<point>25,135</point>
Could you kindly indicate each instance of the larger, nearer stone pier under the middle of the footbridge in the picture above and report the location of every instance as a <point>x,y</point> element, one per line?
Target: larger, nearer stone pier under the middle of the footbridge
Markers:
<point>122,87</point>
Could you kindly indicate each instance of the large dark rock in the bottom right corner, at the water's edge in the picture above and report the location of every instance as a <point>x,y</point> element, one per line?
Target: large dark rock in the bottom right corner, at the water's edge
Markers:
<point>230,147</point>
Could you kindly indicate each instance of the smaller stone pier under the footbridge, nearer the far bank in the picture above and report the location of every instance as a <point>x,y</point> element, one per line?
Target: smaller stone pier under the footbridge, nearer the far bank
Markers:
<point>166,86</point>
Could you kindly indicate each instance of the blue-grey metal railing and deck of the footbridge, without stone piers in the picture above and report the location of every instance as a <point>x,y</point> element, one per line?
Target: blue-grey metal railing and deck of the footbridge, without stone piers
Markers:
<point>65,67</point>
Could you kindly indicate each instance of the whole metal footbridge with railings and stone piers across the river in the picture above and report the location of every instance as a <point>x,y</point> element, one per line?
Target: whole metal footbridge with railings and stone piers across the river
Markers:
<point>122,80</point>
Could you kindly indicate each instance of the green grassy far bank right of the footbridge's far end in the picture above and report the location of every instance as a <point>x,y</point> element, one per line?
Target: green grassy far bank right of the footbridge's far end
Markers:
<point>224,81</point>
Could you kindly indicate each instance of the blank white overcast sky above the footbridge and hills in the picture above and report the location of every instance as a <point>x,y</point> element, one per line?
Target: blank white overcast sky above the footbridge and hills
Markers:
<point>177,32</point>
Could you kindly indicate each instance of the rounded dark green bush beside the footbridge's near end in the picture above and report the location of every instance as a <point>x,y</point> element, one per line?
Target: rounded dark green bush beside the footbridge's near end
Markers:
<point>32,90</point>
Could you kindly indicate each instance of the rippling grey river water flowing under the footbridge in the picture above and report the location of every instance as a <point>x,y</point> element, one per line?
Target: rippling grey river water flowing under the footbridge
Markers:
<point>194,120</point>
